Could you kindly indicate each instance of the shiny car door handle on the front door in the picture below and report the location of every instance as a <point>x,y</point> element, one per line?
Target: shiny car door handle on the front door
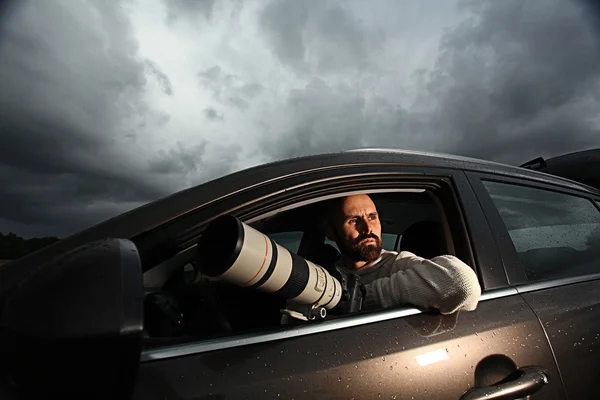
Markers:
<point>523,382</point>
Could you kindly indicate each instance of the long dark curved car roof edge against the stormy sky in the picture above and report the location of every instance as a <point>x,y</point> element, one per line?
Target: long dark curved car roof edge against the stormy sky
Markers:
<point>156,213</point>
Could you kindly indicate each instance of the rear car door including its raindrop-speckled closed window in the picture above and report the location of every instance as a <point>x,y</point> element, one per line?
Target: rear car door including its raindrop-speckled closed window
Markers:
<point>550,237</point>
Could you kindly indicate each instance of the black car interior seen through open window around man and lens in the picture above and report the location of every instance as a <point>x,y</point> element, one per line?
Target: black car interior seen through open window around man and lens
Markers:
<point>182,304</point>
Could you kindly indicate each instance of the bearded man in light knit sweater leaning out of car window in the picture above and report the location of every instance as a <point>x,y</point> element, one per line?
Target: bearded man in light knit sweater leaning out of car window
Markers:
<point>391,278</point>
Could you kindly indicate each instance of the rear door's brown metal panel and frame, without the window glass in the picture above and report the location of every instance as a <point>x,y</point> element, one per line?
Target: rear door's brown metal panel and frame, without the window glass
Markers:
<point>568,307</point>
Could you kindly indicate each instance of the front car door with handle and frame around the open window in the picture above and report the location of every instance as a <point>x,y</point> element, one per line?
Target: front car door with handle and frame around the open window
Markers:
<point>400,353</point>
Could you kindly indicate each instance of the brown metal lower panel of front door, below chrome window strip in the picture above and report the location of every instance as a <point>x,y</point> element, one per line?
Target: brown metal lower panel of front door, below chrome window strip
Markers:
<point>387,359</point>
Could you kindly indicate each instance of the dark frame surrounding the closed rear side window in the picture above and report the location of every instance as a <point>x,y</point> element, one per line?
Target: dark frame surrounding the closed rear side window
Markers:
<point>515,270</point>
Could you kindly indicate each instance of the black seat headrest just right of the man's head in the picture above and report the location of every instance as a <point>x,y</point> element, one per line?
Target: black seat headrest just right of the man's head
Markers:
<point>425,239</point>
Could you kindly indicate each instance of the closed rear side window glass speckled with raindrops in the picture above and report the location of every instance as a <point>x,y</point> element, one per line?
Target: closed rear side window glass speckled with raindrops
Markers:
<point>556,235</point>
